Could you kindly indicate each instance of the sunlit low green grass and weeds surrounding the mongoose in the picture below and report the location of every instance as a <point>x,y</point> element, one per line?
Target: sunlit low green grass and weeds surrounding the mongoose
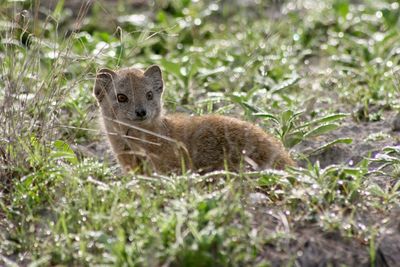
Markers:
<point>299,75</point>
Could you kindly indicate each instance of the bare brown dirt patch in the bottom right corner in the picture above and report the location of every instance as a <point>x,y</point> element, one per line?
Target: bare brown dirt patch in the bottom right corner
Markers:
<point>308,245</point>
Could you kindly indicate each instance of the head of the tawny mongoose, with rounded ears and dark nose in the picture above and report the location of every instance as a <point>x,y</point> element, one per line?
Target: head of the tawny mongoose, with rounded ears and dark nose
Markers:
<point>130,95</point>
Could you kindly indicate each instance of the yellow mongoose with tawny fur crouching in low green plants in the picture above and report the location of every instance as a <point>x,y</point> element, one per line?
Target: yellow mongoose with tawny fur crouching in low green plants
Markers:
<point>141,135</point>
